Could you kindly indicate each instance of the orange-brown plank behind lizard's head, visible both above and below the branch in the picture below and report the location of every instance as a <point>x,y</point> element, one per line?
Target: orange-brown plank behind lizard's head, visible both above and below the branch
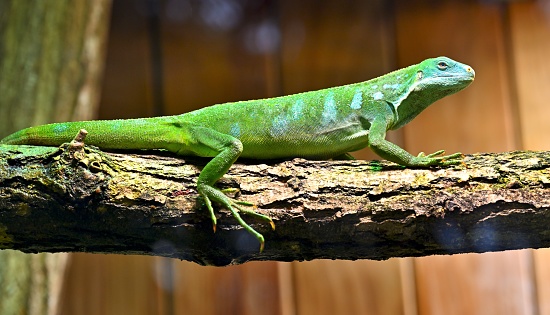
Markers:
<point>477,119</point>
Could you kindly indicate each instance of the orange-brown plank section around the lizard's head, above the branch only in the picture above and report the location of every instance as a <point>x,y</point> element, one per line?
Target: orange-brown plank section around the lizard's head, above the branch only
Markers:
<point>480,117</point>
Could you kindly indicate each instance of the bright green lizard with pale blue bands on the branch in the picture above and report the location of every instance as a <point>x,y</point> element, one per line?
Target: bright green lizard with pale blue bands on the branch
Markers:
<point>321,124</point>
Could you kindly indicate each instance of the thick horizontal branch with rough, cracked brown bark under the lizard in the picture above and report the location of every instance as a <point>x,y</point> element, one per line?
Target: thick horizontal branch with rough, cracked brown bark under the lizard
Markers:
<point>90,201</point>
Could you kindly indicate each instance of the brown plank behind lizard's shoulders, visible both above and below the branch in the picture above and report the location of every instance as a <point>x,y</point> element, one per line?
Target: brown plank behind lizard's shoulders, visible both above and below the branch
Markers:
<point>327,44</point>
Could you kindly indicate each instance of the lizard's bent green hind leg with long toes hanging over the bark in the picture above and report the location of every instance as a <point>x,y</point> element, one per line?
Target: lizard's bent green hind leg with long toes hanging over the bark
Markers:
<point>226,149</point>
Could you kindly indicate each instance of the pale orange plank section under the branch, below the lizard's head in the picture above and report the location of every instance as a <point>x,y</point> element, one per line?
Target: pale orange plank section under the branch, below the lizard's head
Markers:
<point>492,283</point>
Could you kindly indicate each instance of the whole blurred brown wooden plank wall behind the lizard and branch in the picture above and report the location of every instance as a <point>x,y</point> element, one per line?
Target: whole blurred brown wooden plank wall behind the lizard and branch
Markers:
<point>173,56</point>
